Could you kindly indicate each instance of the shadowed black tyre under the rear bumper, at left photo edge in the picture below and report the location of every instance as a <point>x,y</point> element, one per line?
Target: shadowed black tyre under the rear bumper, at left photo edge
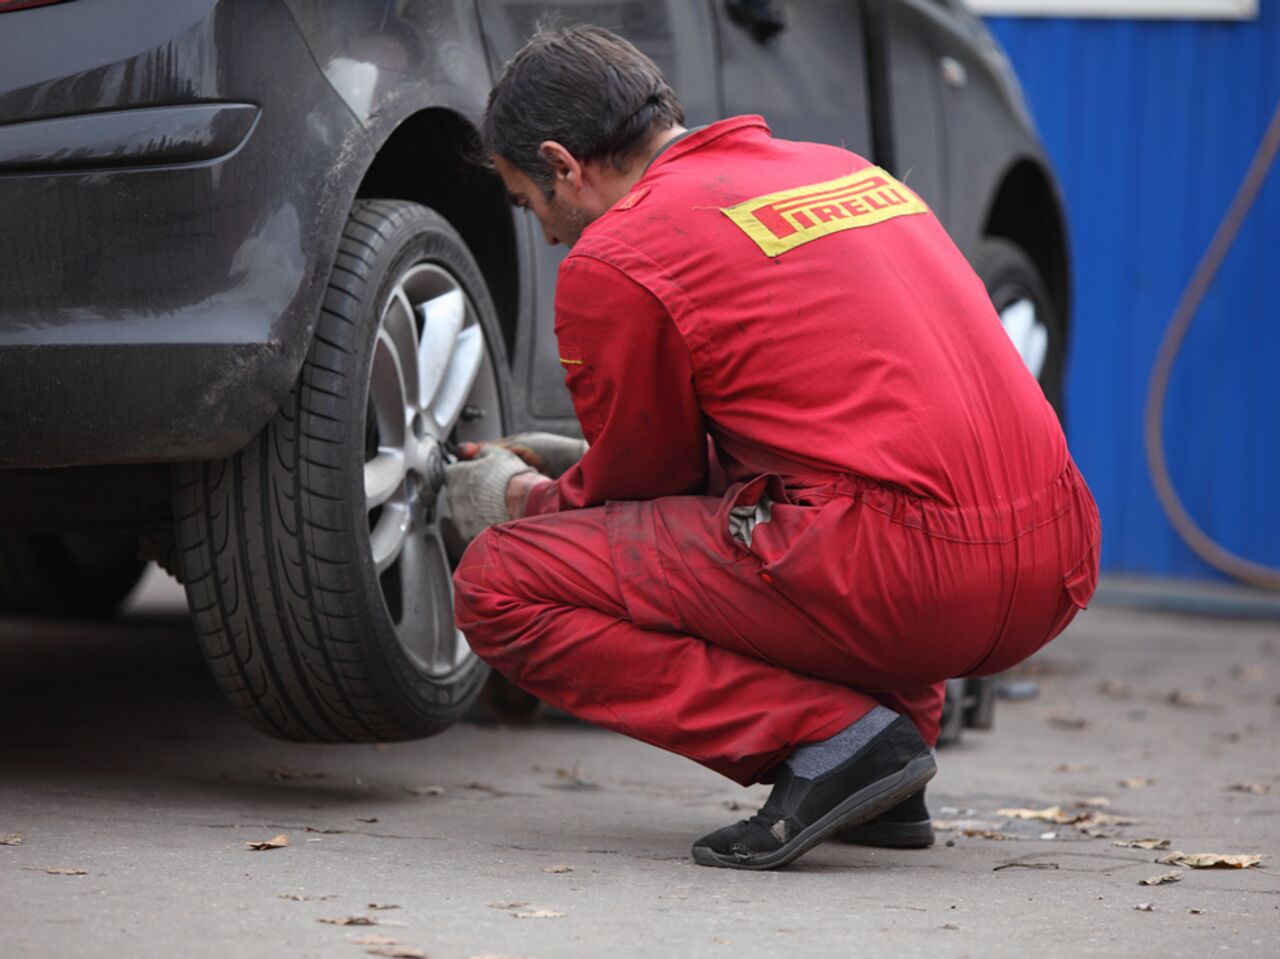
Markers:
<point>75,576</point>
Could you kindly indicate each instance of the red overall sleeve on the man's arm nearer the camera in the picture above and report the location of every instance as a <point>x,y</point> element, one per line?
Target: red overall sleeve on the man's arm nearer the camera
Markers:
<point>632,380</point>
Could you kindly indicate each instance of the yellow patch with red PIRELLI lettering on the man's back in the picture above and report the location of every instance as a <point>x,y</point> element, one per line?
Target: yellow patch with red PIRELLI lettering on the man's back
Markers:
<point>781,222</point>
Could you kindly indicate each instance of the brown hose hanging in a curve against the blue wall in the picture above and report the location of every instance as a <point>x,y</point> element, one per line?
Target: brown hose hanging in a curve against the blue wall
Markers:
<point>1201,544</point>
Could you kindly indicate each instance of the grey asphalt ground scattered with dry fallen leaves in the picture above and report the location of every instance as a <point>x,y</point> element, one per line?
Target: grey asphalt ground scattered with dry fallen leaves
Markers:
<point>121,764</point>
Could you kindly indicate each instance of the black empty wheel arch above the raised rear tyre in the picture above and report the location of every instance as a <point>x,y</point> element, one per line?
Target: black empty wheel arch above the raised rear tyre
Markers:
<point>432,158</point>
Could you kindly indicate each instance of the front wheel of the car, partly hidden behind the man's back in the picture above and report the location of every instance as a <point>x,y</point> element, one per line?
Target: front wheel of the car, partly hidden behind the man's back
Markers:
<point>1027,313</point>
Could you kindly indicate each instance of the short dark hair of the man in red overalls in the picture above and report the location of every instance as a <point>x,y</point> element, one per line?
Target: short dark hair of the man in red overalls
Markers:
<point>584,88</point>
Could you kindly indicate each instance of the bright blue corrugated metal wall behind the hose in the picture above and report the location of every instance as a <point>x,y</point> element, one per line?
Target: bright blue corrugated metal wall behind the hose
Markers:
<point>1151,127</point>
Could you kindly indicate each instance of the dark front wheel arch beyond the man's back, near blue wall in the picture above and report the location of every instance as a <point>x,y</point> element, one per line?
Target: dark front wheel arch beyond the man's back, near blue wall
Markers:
<point>1027,211</point>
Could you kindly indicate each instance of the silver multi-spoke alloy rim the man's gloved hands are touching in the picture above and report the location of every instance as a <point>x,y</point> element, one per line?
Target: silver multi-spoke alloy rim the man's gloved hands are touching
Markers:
<point>432,382</point>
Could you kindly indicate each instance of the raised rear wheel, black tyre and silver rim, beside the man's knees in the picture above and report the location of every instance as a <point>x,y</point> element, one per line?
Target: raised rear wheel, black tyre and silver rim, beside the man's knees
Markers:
<point>317,560</point>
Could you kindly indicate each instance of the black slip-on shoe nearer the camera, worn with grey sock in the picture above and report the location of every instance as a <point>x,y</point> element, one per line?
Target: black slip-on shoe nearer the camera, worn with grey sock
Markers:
<point>802,814</point>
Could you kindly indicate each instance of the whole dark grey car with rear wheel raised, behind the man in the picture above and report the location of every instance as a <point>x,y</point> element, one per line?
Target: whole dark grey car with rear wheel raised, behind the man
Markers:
<point>253,287</point>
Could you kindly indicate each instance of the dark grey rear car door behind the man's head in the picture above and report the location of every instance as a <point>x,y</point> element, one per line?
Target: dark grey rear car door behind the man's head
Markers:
<point>679,38</point>
